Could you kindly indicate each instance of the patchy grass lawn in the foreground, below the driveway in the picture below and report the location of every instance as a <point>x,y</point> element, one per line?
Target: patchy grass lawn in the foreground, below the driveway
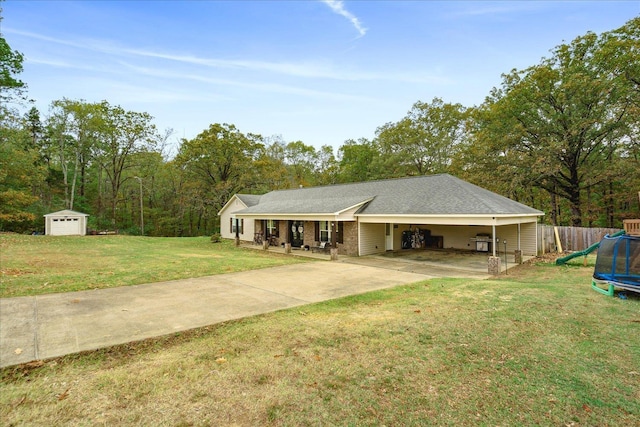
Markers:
<point>536,347</point>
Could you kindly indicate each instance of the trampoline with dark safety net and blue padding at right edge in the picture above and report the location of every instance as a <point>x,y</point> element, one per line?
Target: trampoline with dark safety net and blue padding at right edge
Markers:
<point>617,264</point>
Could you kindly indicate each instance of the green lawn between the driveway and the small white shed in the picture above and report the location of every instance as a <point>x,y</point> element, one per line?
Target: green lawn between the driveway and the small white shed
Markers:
<point>35,265</point>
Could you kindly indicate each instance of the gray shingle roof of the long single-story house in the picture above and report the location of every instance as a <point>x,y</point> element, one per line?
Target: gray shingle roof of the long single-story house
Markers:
<point>424,195</point>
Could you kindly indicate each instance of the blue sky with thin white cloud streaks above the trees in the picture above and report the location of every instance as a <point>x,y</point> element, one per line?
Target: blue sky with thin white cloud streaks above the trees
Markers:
<point>320,72</point>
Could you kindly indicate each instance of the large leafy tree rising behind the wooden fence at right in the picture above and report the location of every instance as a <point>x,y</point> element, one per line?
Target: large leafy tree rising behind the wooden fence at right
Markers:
<point>560,125</point>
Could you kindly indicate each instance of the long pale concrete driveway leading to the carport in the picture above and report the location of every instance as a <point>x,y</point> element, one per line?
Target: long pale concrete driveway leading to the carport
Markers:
<point>46,326</point>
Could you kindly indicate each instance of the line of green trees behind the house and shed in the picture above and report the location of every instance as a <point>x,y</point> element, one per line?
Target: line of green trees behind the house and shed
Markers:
<point>560,136</point>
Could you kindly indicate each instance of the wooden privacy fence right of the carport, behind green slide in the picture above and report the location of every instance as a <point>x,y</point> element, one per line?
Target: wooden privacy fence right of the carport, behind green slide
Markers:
<point>571,238</point>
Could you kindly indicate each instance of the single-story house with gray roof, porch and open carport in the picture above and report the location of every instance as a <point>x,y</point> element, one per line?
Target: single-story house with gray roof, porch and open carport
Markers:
<point>437,211</point>
